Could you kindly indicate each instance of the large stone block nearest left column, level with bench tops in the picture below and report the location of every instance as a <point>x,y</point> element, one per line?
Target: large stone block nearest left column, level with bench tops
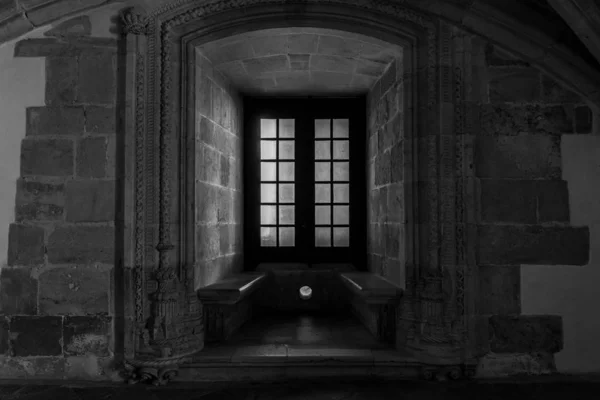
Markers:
<point>78,290</point>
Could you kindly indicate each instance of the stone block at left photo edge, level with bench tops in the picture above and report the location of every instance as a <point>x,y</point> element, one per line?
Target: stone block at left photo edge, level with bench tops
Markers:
<point>18,291</point>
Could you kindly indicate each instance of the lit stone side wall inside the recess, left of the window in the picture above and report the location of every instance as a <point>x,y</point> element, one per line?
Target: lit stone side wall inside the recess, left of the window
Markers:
<point>218,176</point>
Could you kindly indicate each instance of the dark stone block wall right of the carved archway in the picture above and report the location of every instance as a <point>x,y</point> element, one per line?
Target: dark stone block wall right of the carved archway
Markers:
<point>524,213</point>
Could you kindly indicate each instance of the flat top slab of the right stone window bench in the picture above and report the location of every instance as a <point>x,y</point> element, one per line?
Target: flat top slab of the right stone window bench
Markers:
<point>373,288</point>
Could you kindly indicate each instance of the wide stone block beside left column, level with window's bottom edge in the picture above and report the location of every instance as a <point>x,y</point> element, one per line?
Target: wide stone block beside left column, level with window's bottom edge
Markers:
<point>81,244</point>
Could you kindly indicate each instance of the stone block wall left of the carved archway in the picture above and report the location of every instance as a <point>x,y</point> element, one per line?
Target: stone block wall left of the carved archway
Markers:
<point>56,304</point>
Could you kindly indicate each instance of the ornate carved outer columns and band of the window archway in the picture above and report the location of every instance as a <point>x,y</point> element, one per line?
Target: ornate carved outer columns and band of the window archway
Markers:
<point>434,293</point>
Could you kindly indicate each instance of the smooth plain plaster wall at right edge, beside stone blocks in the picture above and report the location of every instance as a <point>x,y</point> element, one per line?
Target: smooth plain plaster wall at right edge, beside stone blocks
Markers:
<point>572,291</point>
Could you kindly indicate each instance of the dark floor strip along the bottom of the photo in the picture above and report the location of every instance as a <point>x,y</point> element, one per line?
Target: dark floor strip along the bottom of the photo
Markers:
<point>561,387</point>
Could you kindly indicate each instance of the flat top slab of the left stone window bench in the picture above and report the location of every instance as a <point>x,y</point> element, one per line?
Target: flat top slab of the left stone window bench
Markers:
<point>232,289</point>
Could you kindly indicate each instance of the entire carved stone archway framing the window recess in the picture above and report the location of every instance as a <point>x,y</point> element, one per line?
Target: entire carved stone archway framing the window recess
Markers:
<point>165,324</point>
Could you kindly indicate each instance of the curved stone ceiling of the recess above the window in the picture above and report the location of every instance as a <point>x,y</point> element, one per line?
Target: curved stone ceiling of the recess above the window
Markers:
<point>301,61</point>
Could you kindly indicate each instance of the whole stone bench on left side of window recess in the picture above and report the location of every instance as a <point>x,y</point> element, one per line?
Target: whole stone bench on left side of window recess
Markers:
<point>227,304</point>
